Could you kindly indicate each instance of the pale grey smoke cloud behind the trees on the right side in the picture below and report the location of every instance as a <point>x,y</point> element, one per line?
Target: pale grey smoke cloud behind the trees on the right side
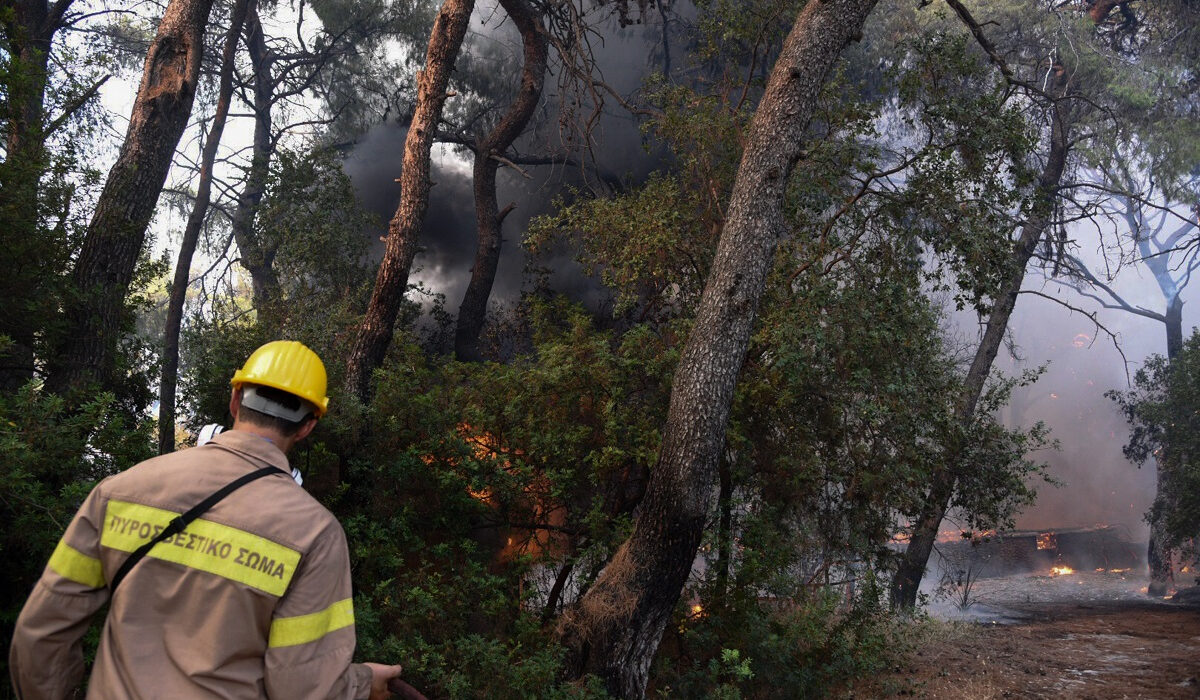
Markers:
<point>1100,486</point>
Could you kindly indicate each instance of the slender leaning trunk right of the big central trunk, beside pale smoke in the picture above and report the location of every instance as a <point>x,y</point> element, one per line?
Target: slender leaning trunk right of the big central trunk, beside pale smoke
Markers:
<point>911,570</point>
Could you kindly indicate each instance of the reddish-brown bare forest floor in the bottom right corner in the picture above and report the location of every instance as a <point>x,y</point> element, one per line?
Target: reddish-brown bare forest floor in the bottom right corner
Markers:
<point>1089,636</point>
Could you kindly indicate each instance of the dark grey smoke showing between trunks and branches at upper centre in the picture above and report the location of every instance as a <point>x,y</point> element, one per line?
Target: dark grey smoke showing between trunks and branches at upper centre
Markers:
<point>449,234</point>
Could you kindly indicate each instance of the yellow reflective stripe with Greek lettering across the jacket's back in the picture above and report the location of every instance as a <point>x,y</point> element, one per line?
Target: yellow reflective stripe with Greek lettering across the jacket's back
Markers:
<point>206,546</point>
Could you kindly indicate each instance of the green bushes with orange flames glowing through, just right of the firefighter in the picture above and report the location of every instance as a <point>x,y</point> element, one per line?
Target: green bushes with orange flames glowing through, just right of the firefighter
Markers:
<point>465,487</point>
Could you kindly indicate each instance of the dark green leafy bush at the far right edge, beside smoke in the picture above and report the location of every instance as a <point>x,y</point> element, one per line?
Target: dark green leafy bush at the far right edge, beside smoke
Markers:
<point>1163,410</point>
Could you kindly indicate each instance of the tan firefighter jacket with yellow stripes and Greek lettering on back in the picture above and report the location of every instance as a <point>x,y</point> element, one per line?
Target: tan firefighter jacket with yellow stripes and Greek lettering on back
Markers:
<point>251,601</point>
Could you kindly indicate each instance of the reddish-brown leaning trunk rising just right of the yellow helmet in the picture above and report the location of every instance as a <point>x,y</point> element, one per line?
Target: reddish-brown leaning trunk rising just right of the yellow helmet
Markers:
<point>392,282</point>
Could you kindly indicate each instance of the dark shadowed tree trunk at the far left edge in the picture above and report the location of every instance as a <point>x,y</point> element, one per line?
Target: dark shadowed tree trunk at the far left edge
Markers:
<point>28,262</point>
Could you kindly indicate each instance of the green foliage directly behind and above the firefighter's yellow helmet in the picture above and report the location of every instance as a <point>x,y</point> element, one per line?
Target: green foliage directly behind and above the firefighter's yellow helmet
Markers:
<point>313,219</point>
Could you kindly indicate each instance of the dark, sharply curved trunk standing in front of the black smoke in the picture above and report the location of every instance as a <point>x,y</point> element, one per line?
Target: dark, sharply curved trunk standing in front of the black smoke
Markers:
<point>488,218</point>
